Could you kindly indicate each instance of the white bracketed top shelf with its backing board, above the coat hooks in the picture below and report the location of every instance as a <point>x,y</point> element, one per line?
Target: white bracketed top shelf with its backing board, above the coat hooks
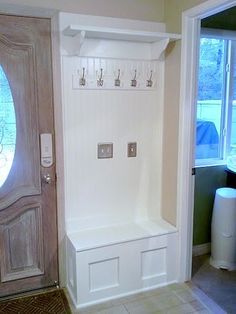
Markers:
<point>78,37</point>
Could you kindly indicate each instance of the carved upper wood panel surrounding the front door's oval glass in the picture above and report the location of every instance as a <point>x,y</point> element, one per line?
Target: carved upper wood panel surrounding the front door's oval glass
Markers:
<point>24,178</point>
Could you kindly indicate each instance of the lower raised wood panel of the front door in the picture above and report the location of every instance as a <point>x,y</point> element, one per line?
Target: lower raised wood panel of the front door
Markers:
<point>22,249</point>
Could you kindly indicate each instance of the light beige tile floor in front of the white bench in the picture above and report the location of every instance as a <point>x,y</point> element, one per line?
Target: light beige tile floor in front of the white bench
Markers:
<point>173,299</point>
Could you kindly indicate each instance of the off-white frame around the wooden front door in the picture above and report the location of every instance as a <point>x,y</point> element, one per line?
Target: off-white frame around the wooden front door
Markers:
<point>53,15</point>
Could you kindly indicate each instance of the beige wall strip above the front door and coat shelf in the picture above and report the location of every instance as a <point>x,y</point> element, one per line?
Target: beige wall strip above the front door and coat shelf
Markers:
<point>146,10</point>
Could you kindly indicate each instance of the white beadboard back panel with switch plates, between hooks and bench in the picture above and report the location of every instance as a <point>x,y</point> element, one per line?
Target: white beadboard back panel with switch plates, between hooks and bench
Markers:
<point>111,191</point>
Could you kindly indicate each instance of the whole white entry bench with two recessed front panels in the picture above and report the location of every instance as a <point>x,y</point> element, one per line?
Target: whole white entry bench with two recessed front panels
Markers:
<point>110,262</point>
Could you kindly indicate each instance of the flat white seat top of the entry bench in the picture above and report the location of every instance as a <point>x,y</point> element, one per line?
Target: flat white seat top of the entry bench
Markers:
<point>105,236</point>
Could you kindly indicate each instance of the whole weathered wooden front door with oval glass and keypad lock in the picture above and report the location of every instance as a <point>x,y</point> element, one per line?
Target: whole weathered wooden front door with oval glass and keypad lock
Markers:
<point>28,227</point>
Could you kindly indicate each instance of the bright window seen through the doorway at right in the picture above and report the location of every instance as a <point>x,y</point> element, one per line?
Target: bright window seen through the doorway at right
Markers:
<point>216,102</point>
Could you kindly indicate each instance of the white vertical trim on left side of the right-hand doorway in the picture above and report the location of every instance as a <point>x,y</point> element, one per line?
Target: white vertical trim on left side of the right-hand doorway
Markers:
<point>186,161</point>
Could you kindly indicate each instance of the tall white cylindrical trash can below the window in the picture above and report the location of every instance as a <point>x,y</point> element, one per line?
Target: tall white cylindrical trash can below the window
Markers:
<point>223,230</point>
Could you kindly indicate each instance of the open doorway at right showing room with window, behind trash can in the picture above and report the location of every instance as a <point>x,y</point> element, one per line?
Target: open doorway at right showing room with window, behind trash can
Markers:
<point>215,138</point>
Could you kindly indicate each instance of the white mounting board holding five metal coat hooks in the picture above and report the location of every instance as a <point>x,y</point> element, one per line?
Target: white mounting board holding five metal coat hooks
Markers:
<point>90,69</point>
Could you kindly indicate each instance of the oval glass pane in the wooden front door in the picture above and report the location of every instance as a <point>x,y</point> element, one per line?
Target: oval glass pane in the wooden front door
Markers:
<point>7,128</point>
